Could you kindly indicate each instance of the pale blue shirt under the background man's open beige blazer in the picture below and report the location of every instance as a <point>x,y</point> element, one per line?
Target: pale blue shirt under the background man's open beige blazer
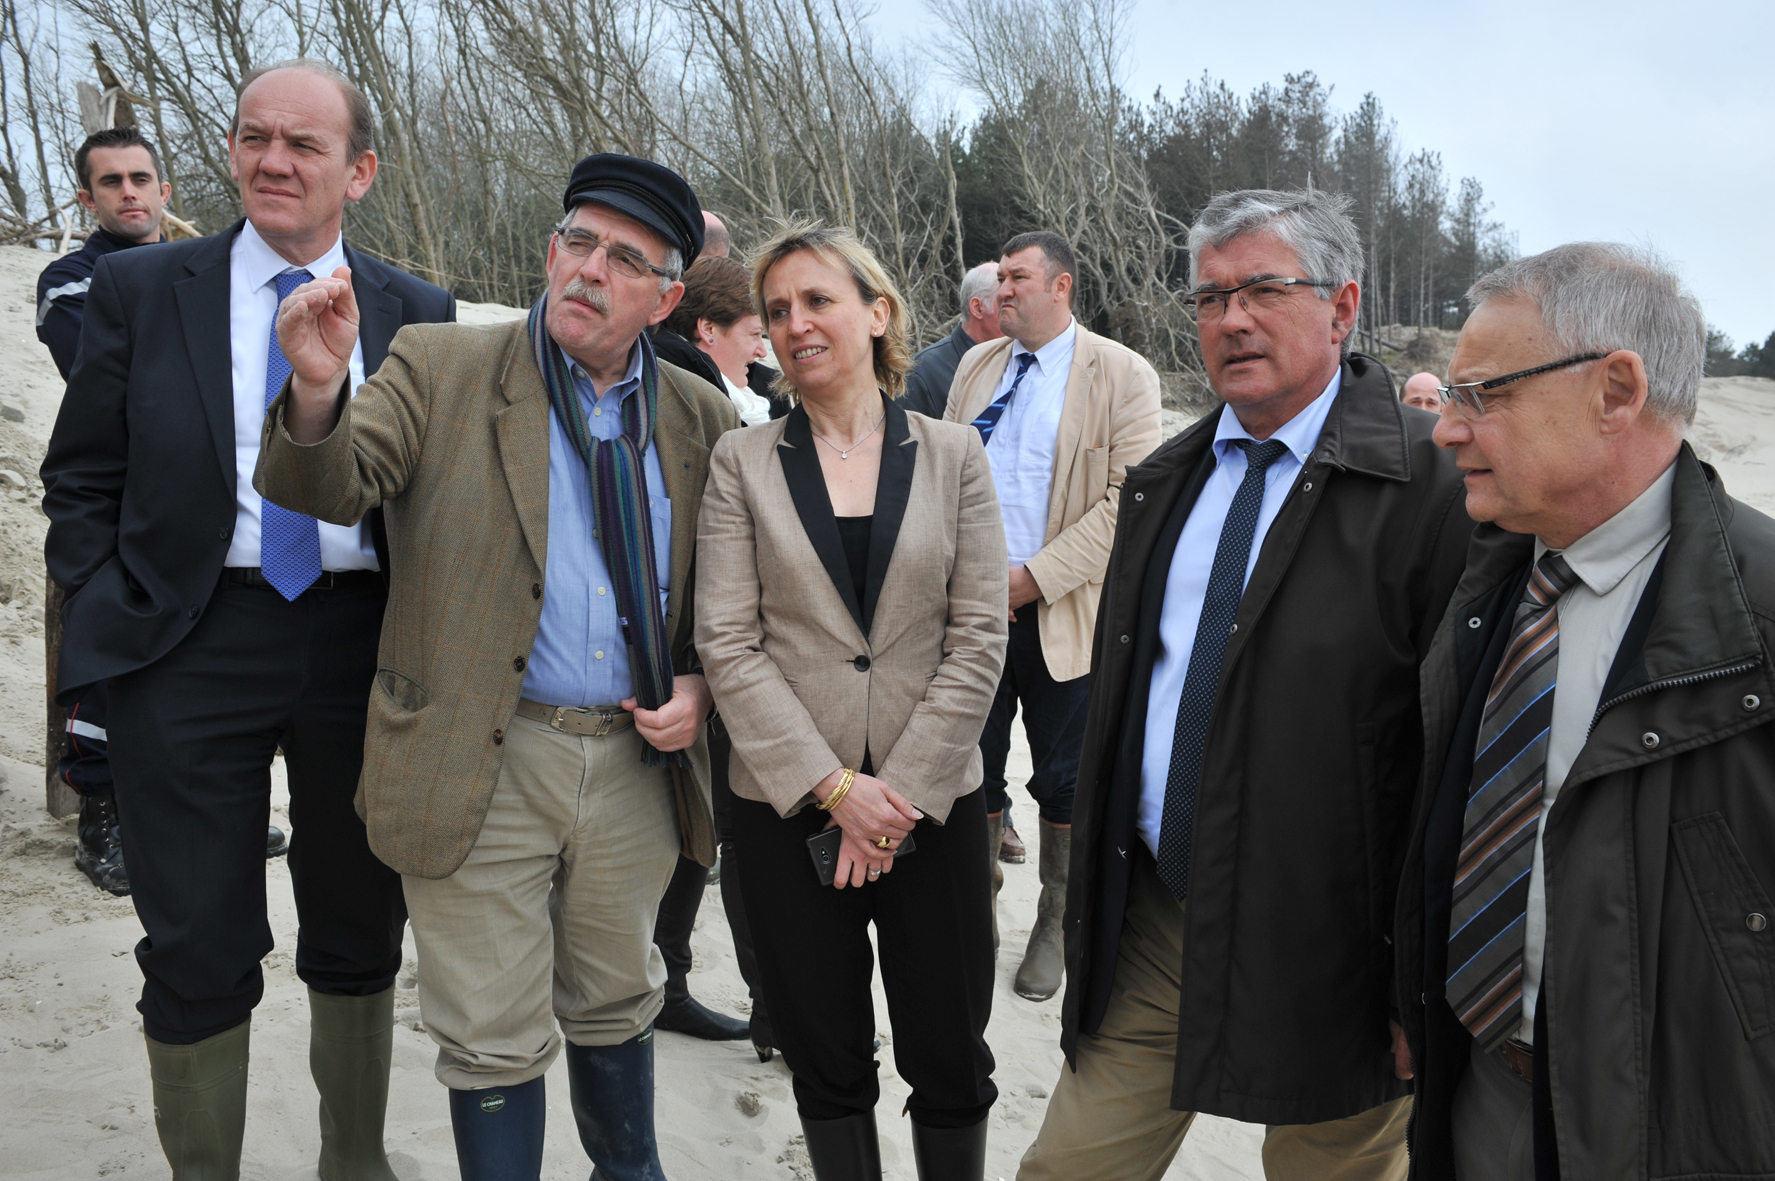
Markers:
<point>1022,448</point>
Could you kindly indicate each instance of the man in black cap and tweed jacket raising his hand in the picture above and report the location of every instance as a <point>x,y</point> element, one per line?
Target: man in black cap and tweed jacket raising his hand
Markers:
<point>535,757</point>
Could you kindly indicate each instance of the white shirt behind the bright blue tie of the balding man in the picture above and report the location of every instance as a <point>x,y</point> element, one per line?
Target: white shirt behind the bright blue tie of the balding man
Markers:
<point>253,310</point>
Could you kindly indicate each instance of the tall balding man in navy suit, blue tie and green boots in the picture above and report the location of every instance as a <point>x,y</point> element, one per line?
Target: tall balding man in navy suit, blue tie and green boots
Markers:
<point>228,630</point>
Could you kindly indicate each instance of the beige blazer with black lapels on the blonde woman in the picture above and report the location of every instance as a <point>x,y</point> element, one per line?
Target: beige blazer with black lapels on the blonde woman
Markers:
<point>805,674</point>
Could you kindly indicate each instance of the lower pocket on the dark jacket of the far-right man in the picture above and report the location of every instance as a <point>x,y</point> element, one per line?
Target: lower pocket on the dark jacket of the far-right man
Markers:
<point>1735,915</point>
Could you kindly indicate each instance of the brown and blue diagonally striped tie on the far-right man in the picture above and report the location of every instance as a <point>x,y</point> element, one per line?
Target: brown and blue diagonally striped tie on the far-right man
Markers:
<point>1503,818</point>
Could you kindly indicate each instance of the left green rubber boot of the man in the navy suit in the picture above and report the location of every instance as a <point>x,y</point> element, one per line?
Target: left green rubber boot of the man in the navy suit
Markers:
<point>201,1104</point>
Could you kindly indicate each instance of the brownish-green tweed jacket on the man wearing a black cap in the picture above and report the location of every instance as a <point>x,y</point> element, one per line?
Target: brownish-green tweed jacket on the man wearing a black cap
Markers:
<point>452,438</point>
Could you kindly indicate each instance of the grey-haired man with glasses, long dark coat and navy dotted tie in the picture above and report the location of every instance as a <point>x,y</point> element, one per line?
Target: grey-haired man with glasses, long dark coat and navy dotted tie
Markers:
<point>1254,734</point>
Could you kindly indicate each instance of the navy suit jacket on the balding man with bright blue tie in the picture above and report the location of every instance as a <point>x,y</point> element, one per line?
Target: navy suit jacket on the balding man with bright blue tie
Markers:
<point>139,480</point>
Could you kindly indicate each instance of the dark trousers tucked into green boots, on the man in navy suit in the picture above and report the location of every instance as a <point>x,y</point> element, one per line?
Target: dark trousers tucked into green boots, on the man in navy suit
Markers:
<point>193,738</point>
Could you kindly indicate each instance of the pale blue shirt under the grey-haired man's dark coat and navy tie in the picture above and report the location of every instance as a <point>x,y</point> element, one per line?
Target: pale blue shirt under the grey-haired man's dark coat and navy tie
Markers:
<point>1188,582</point>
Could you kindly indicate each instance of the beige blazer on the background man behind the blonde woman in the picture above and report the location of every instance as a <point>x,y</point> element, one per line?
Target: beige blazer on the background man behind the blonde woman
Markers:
<point>1108,424</point>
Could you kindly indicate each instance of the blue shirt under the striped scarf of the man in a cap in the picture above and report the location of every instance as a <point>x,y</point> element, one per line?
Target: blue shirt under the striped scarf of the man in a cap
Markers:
<point>580,656</point>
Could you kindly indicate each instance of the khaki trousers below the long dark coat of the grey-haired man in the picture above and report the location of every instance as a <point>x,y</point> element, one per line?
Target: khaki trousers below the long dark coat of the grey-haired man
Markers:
<point>1114,1122</point>
